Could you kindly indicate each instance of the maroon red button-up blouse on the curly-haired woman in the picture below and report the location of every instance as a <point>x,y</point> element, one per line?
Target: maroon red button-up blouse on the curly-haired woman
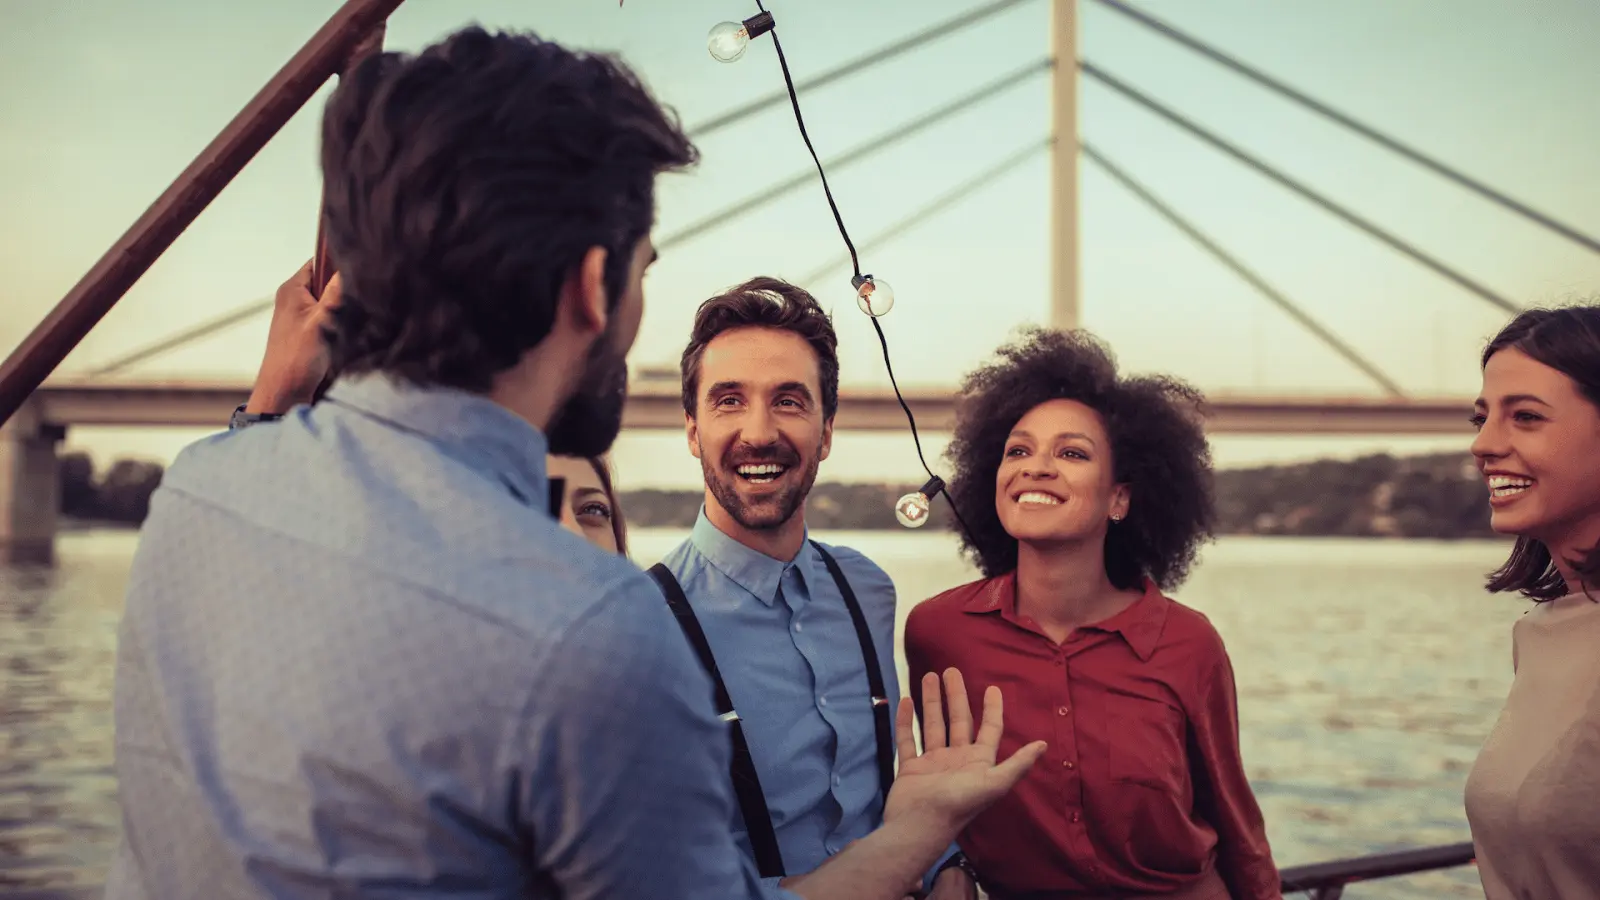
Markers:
<point>1143,789</point>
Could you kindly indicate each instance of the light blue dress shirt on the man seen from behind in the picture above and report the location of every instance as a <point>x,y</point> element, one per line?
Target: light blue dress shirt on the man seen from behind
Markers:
<point>361,661</point>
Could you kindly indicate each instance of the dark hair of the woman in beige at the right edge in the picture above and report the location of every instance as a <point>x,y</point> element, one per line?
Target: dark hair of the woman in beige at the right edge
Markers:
<point>1569,342</point>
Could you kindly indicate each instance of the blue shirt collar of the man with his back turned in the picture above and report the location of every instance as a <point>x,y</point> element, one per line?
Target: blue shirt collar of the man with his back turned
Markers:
<point>468,428</point>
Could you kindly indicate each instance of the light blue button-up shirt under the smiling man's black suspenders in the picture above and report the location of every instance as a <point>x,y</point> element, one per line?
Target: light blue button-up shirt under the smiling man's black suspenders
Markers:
<point>790,656</point>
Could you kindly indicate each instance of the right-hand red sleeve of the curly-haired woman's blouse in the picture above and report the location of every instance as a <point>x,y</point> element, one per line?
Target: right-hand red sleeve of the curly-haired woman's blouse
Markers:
<point>1223,794</point>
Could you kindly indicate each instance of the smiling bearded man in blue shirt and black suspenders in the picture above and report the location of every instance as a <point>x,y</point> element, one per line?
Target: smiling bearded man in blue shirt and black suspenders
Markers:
<point>802,635</point>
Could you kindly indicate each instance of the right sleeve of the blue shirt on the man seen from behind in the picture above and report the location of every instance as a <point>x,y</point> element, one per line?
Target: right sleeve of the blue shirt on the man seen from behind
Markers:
<point>625,768</point>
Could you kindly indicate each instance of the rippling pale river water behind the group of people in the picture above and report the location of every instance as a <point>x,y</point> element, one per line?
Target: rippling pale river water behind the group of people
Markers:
<point>1369,675</point>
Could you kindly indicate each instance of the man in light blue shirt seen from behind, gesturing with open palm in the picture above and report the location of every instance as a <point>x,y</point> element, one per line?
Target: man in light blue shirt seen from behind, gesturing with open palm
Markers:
<point>359,656</point>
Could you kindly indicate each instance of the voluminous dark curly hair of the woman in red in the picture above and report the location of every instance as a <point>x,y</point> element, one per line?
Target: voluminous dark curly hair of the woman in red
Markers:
<point>1158,441</point>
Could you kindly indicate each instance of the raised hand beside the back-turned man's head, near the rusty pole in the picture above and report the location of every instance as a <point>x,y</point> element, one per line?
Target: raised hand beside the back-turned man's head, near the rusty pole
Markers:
<point>297,358</point>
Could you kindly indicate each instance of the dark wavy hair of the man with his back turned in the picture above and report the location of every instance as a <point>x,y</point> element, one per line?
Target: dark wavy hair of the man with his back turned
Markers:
<point>463,187</point>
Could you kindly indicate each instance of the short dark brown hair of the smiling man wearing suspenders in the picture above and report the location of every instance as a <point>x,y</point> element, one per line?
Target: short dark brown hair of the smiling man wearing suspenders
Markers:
<point>764,303</point>
